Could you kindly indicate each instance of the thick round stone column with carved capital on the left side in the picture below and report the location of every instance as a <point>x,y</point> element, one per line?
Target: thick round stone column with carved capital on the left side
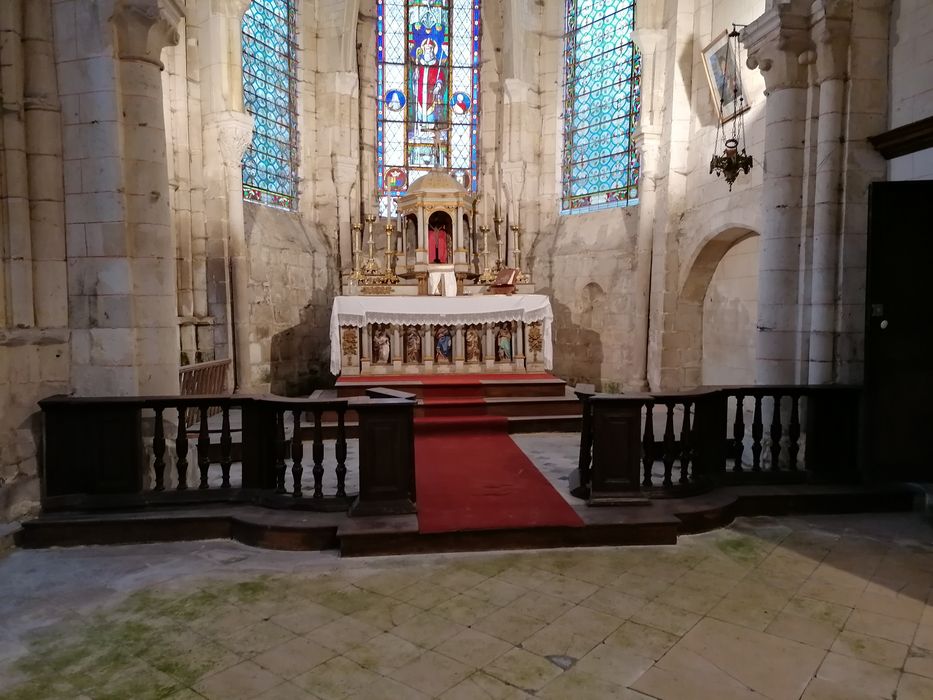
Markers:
<point>143,29</point>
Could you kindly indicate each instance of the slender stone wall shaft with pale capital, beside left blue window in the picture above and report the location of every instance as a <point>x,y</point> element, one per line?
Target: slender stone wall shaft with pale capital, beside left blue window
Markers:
<point>233,131</point>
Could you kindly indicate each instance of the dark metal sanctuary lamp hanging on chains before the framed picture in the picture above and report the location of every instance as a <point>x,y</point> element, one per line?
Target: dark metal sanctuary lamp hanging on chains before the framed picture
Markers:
<point>732,105</point>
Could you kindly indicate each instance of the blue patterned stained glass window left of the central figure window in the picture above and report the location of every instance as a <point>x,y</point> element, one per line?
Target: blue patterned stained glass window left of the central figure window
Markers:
<point>270,164</point>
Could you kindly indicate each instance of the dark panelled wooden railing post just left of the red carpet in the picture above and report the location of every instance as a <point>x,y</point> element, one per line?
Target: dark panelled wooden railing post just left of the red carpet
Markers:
<point>387,454</point>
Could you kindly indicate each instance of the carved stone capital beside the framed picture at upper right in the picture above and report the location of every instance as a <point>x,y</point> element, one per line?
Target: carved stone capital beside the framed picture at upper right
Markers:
<point>777,43</point>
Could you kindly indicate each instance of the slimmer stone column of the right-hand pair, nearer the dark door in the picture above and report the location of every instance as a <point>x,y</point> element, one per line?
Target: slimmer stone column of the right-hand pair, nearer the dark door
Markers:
<point>831,35</point>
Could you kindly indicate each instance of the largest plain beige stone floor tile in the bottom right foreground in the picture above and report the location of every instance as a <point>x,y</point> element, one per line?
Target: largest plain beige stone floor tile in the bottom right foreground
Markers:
<point>775,667</point>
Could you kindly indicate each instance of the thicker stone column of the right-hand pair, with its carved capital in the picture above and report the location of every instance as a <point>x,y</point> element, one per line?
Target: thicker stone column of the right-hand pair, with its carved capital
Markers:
<point>776,43</point>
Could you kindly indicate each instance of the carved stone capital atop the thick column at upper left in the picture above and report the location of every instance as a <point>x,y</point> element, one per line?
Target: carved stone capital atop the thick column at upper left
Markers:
<point>145,27</point>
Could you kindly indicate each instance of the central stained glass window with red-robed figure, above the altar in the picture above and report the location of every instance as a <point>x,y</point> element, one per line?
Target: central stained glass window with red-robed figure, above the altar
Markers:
<point>427,64</point>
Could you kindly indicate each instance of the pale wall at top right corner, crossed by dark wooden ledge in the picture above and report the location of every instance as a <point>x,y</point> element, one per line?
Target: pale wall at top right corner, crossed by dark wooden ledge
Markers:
<point>911,81</point>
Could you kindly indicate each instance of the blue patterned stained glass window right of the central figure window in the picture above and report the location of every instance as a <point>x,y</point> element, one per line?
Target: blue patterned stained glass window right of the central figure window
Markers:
<point>601,103</point>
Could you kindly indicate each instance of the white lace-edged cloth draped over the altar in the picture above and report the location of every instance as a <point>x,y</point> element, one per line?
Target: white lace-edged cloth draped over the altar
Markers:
<point>360,311</point>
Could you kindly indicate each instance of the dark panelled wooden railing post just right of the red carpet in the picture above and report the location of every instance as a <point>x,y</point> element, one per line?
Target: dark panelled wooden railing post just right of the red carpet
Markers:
<point>615,477</point>
